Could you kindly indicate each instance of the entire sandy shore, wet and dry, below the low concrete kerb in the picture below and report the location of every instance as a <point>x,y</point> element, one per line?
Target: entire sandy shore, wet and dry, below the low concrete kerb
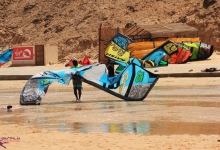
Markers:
<point>178,113</point>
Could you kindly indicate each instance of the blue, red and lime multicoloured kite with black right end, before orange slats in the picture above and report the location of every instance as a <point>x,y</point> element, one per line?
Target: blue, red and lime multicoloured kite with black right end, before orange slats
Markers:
<point>177,53</point>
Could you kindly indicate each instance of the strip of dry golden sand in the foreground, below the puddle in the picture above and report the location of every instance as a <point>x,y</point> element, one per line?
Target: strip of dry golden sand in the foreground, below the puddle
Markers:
<point>41,139</point>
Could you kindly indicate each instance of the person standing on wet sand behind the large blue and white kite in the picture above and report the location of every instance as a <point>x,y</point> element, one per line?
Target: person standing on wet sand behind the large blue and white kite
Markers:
<point>77,82</point>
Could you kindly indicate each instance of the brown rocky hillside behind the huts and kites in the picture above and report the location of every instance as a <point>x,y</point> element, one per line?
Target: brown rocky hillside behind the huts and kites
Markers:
<point>73,24</point>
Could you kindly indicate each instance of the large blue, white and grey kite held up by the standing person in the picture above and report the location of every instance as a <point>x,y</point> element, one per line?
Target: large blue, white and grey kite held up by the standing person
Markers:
<point>132,84</point>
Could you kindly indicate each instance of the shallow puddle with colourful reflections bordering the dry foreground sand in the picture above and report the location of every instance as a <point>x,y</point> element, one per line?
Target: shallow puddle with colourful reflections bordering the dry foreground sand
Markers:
<point>140,127</point>
